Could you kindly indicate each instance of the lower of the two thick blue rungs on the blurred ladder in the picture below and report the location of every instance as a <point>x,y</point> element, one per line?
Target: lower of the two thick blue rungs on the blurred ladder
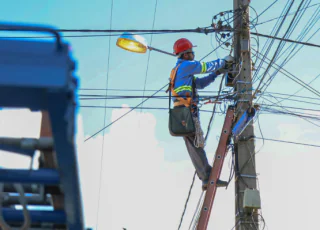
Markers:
<point>12,215</point>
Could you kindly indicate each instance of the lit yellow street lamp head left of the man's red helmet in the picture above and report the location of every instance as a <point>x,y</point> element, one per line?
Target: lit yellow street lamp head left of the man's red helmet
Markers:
<point>132,42</point>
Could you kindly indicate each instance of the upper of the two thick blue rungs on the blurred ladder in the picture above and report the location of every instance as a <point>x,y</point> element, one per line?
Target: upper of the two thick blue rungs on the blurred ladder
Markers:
<point>40,176</point>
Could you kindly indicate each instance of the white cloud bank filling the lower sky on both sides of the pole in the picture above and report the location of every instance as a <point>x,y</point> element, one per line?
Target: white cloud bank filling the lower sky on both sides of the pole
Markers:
<point>140,190</point>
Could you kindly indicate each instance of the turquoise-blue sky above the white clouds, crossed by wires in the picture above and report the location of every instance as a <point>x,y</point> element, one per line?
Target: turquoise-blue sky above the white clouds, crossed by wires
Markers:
<point>128,70</point>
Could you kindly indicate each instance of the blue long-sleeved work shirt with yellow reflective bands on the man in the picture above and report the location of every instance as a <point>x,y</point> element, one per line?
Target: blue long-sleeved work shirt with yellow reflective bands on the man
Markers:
<point>187,70</point>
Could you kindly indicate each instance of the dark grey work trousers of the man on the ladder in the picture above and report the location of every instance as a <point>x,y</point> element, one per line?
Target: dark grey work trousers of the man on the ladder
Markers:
<point>199,159</point>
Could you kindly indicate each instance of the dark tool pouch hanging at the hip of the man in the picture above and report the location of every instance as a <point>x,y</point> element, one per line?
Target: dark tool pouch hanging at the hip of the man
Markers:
<point>181,122</point>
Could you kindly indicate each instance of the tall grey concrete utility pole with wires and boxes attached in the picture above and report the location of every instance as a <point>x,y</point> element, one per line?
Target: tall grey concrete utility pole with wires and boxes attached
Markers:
<point>247,198</point>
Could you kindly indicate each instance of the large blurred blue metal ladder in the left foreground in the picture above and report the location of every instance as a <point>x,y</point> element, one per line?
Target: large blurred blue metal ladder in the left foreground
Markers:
<point>39,75</point>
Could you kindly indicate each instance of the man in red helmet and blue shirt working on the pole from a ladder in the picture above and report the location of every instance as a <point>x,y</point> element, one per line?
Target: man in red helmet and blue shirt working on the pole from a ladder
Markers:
<point>186,85</point>
